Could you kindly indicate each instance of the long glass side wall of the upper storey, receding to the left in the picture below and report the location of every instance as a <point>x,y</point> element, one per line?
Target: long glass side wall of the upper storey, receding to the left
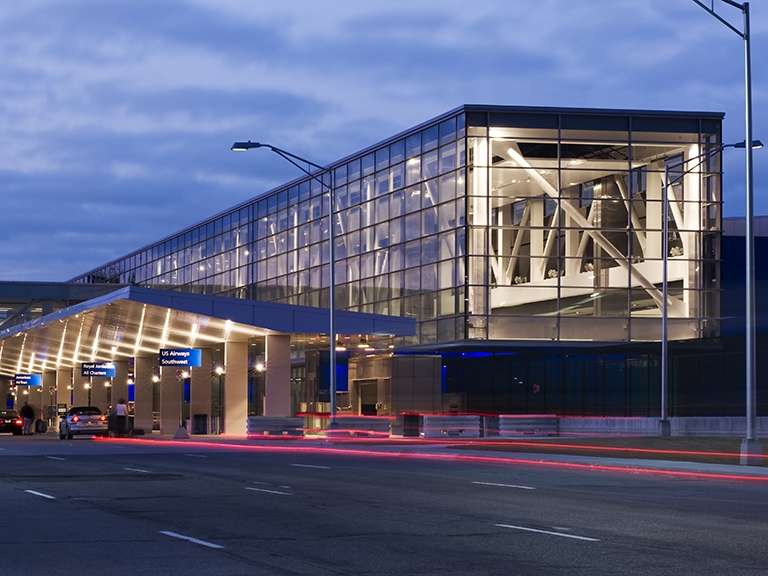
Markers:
<point>399,217</point>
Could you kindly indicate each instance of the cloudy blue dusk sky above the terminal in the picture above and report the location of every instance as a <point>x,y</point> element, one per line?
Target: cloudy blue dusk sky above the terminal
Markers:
<point>117,116</point>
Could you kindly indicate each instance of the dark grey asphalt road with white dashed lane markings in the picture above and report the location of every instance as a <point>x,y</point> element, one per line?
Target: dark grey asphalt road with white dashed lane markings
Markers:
<point>96,508</point>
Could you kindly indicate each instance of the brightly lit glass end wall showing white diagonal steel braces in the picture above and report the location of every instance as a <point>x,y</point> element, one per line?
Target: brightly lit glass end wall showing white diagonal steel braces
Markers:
<point>565,226</point>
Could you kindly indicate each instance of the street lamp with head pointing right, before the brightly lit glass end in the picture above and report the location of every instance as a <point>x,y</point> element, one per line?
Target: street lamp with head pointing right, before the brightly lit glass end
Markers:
<point>665,426</point>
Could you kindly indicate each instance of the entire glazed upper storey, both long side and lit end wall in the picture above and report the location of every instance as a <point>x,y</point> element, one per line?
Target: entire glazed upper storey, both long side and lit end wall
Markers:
<point>486,223</point>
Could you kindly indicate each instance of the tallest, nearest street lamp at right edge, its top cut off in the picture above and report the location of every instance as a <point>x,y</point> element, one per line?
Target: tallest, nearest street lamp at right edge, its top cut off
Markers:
<point>750,444</point>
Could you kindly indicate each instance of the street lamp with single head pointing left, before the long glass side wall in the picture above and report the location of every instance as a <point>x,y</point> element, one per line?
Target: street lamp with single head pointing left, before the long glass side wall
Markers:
<point>296,160</point>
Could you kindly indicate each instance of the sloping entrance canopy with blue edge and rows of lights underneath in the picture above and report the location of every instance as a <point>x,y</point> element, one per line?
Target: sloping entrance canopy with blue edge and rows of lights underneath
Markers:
<point>133,321</point>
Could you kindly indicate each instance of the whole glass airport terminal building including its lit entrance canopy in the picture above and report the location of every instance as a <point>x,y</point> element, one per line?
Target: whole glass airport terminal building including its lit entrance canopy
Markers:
<point>493,259</point>
